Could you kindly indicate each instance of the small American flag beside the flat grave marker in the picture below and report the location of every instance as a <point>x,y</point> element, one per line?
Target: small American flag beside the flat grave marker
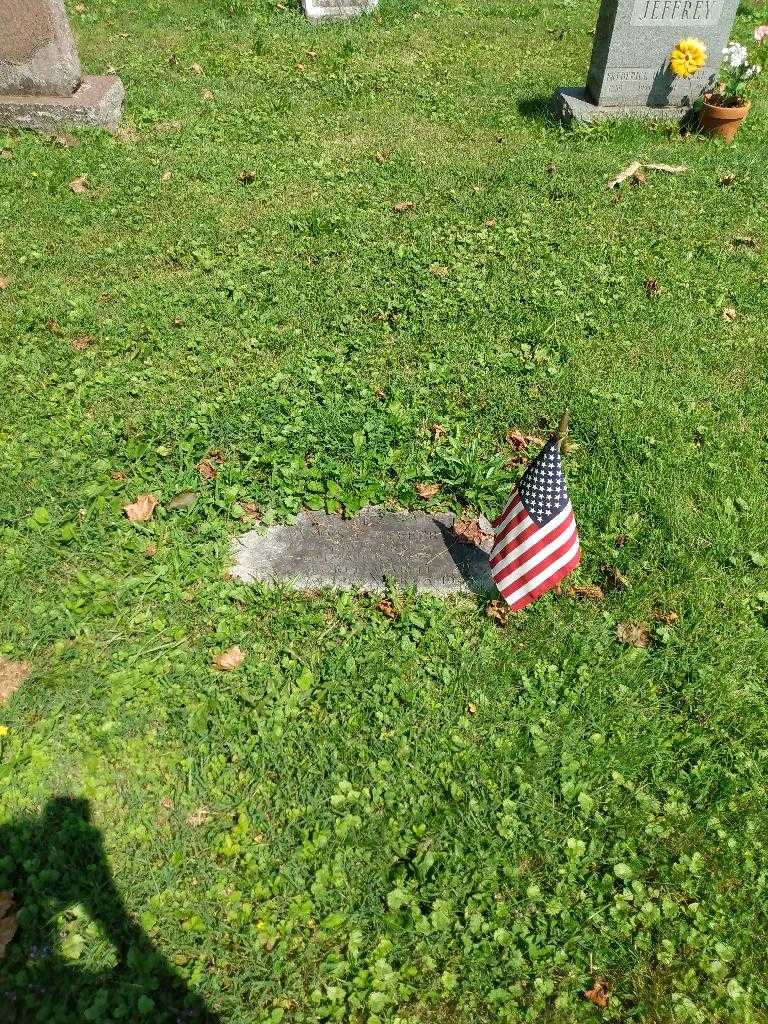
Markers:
<point>536,537</point>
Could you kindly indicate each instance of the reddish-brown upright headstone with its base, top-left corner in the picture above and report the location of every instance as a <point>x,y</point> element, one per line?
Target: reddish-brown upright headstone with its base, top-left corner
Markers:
<point>41,87</point>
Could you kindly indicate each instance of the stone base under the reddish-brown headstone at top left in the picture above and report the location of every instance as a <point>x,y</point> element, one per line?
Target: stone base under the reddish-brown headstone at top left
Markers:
<point>97,103</point>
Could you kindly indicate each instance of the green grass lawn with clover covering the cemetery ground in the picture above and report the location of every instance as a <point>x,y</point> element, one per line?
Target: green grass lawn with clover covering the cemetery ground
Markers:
<point>330,834</point>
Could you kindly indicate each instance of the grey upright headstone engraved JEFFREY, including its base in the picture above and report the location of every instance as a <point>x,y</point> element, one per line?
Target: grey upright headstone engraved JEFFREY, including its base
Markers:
<point>629,74</point>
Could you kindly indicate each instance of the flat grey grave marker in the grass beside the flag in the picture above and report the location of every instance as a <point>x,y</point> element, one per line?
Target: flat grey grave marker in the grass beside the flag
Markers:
<point>365,553</point>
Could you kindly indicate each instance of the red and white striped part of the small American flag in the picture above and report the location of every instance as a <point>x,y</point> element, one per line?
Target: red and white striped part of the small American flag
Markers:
<point>528,560</point>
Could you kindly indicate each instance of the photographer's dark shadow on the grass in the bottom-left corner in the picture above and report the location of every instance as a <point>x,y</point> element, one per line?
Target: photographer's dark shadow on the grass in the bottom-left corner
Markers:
<point>56,867</point>
